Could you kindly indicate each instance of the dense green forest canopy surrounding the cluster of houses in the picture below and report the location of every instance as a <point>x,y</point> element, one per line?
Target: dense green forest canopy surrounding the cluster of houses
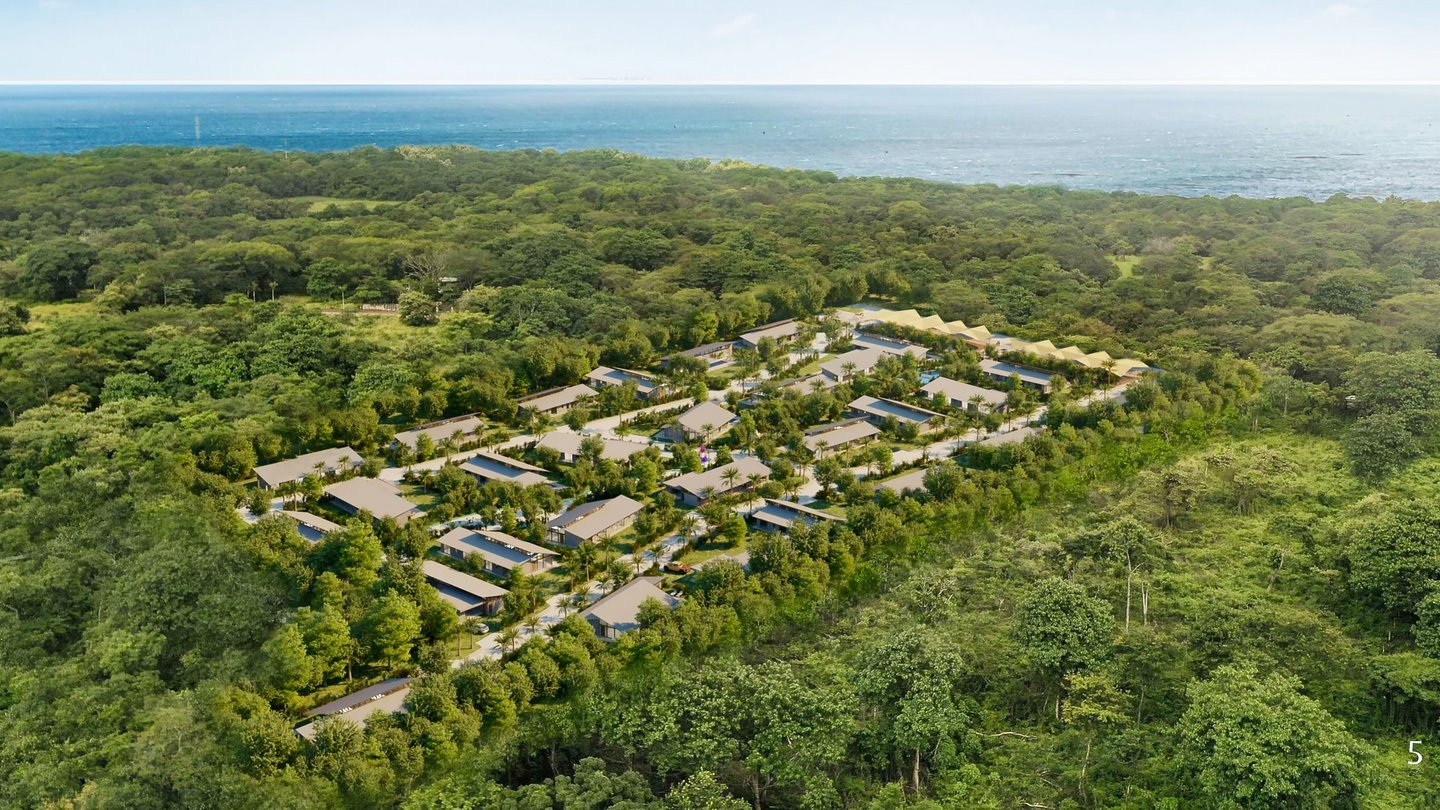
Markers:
<point>1220,593</point>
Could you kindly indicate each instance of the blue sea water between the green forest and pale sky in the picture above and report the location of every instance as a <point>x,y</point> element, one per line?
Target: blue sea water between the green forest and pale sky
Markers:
<point>1179,141</point>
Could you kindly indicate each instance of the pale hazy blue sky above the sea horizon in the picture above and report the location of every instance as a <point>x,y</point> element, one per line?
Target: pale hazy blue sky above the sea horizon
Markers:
<point>719,43</point>
